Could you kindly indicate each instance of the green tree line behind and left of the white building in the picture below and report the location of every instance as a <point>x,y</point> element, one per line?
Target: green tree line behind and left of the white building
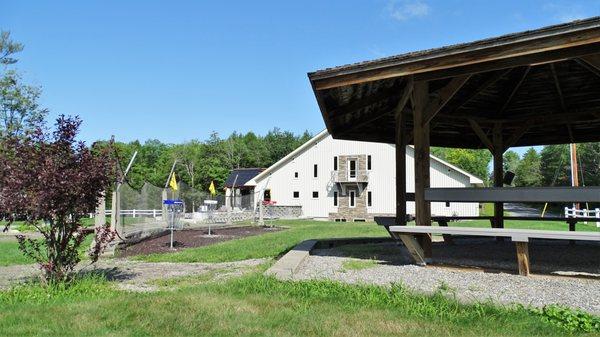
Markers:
<point>200,162</point>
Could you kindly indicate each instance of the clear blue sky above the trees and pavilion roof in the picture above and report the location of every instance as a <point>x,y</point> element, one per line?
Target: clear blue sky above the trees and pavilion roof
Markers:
<point>177,70</point>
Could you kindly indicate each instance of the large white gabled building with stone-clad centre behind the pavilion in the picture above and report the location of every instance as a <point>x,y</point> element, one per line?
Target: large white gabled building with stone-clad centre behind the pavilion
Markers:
<point>350,180</point>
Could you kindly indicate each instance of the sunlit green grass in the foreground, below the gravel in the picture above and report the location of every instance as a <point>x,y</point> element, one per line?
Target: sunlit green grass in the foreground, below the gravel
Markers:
<point>255,305</point>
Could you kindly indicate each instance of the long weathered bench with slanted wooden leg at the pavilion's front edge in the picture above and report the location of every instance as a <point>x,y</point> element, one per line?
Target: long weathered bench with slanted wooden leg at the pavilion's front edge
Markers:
<point>521,238</point>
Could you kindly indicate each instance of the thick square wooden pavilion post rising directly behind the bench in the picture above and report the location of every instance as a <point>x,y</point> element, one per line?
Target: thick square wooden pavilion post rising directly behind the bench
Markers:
<point>421,140</point>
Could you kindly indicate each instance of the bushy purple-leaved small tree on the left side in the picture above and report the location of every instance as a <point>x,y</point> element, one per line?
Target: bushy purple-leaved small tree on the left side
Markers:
<point>50,180</point>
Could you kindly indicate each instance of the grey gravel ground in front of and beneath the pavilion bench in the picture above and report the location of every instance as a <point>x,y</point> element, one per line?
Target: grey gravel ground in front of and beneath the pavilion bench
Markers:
<point>467,285</point>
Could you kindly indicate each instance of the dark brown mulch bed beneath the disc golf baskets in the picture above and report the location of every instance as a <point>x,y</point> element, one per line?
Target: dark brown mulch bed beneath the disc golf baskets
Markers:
<point>190,238</point>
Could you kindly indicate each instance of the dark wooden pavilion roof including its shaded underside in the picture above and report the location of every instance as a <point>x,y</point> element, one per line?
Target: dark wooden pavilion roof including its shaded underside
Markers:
<point>539,87</point>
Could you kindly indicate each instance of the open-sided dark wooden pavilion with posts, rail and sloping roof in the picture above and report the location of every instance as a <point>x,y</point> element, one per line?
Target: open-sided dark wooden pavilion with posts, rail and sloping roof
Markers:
<point>536,87</point>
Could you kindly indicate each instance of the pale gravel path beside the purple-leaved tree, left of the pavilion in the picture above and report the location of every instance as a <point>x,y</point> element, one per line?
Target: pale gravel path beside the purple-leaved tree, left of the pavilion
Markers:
<point>137,275</point>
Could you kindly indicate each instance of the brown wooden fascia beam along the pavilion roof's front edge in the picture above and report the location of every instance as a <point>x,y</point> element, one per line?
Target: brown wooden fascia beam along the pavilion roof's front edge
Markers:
<point>443,64</point>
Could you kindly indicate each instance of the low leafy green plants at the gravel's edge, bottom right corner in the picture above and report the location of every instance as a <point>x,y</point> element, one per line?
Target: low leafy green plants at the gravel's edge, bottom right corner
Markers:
<point>569,319</point>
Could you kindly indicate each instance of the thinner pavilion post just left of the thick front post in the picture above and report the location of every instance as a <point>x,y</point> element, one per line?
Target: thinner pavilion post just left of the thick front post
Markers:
<point>400,170</point>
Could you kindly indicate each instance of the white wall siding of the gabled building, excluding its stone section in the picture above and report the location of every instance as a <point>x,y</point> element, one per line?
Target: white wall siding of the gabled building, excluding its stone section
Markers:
<point>282,183</point>
